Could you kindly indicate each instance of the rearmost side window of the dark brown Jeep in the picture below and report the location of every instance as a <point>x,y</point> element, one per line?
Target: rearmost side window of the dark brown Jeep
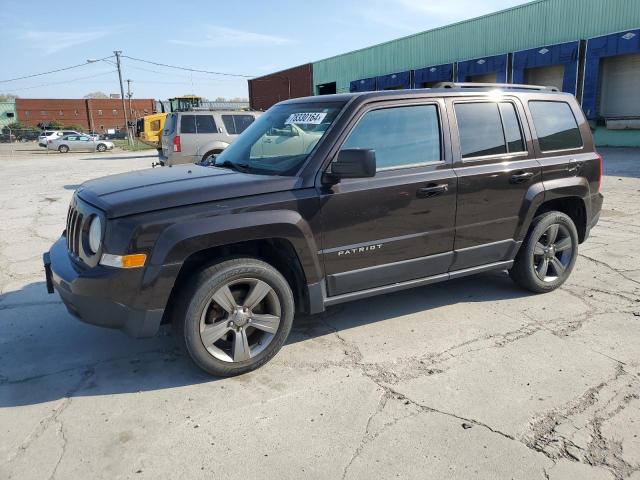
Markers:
<point>555,125</point>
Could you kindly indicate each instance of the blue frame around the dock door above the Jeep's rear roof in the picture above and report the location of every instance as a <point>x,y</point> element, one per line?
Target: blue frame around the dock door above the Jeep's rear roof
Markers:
<point>565,54</point>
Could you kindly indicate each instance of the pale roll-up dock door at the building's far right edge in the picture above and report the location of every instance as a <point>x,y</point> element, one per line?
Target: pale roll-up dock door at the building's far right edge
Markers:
<point>619,90</point>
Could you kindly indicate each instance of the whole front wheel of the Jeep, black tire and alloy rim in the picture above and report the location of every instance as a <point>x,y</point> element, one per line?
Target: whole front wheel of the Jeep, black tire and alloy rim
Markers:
<point>206,314</point>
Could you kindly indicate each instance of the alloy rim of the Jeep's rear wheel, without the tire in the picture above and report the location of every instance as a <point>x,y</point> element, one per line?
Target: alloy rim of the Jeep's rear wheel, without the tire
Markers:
<point>552,253</point>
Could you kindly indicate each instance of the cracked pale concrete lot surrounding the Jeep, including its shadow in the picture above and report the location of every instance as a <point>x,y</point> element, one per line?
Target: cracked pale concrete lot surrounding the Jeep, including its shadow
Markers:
<point>469,379</point>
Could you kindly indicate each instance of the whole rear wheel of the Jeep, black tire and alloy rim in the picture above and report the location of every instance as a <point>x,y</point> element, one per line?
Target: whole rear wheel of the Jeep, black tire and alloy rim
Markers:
<point>548,254</point>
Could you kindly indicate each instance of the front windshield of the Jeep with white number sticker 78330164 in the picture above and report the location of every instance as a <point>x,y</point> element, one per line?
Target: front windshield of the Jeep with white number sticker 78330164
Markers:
<point>280,140</point>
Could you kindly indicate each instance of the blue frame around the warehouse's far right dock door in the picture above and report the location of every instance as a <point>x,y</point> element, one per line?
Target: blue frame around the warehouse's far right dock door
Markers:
<point>599,48</point>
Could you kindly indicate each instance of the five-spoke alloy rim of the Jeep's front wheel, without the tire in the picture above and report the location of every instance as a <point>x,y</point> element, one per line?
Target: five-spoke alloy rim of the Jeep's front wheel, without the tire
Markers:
<point>240,320</point>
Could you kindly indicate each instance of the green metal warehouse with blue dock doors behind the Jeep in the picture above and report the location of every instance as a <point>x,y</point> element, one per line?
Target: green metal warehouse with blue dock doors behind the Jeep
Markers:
<point>590,48</point>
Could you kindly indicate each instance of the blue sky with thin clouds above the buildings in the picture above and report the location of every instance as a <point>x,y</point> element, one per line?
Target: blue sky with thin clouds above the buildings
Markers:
<point>245,37</point>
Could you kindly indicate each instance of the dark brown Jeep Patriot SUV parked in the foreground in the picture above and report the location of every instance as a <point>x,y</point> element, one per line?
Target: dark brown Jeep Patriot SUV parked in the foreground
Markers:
<point>399,189</point>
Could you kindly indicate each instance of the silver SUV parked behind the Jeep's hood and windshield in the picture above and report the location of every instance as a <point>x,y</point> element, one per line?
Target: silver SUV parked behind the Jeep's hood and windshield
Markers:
<point>190,137</point>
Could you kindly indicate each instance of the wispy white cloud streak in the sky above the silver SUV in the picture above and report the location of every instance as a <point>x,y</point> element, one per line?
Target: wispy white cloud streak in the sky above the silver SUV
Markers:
<point>217,36</point>
